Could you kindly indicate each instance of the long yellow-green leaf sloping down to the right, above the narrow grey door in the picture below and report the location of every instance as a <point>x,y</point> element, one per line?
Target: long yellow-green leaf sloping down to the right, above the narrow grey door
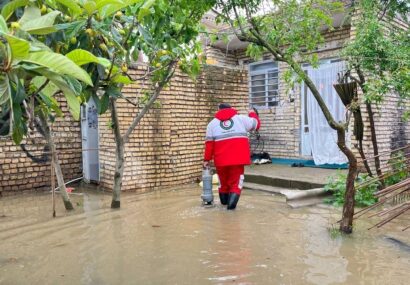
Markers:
<point>59,64</point>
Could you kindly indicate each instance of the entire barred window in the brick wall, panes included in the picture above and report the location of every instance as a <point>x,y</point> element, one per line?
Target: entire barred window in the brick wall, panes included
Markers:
<point>263,84</point>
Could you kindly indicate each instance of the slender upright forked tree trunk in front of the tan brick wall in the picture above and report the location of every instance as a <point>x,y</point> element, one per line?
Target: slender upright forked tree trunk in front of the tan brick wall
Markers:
<point>119,157</point>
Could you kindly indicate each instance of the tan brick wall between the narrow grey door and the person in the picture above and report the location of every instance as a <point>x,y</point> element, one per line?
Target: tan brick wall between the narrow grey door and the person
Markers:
<point>166,149</point>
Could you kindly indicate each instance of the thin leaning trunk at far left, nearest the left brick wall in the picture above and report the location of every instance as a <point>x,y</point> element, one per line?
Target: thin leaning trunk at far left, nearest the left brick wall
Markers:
<point>59,174</point>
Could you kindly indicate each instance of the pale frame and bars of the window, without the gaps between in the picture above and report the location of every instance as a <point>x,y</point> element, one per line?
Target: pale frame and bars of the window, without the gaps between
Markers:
<point>264,71</point>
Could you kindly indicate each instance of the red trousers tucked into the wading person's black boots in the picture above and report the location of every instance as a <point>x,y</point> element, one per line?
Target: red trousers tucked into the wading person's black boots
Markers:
<point>230,178</point>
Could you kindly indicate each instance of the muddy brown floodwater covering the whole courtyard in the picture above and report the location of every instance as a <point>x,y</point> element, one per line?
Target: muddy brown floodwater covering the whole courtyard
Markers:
<point>169,238</point>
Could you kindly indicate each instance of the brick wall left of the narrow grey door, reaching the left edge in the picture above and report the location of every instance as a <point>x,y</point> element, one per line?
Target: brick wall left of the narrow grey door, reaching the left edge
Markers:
<point>19,172</point>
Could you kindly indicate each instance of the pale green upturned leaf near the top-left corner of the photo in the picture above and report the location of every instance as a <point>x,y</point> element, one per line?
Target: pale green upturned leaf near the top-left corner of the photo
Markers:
<point>38,25</point>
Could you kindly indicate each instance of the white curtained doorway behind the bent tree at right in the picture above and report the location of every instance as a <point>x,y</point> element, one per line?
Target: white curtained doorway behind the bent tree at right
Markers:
<point>317,138</point>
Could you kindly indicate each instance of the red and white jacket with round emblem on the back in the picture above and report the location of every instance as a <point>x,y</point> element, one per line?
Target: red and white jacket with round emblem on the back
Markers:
<point>227,140</point>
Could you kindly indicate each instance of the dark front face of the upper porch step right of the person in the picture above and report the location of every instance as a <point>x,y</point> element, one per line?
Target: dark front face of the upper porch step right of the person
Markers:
<point>281,182</point>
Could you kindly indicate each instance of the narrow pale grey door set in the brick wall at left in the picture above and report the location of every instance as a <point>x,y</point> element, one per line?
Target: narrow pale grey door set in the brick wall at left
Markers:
<point>90,141</point>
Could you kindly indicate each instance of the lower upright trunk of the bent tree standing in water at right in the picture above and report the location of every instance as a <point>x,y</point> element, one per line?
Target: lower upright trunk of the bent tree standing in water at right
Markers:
<point>346,225</point>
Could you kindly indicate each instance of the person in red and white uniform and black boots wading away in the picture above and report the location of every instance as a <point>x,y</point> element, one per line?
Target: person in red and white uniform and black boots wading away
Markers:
<point>227,144</point>
